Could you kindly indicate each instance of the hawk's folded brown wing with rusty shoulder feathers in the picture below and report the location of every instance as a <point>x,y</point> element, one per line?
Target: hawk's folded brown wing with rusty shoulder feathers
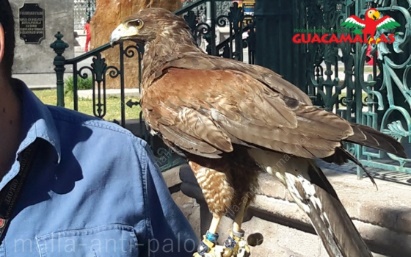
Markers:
<point>205,112</point>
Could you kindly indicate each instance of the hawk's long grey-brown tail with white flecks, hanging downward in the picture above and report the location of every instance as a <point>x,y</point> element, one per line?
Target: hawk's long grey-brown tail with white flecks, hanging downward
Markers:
<point>327,214</point>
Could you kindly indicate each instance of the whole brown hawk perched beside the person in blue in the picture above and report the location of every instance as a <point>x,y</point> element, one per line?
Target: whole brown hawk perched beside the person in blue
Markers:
<point>232,120</point>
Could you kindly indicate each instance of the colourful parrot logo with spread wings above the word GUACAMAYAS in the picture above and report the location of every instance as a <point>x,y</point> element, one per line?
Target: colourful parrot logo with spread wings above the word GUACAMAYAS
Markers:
<point>369,26</point>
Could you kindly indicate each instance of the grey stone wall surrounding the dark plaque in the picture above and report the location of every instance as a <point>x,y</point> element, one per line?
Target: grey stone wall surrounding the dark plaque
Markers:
<point>38,58</point>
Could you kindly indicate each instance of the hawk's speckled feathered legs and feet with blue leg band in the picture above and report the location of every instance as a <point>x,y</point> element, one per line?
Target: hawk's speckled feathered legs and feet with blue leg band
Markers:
<point>225,192</point>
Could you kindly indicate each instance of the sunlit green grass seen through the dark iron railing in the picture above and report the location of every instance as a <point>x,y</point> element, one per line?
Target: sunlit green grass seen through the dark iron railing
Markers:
<point>49,96</point>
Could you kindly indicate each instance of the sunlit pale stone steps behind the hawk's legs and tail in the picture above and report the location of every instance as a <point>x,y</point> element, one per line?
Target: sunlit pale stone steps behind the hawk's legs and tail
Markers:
<point>381,216</point>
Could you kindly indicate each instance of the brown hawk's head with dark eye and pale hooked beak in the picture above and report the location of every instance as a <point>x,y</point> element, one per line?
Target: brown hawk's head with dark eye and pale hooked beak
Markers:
<point>148,24</point>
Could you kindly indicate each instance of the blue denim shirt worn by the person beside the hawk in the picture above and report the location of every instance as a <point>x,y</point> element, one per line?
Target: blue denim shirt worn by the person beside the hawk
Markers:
<point>94,190</point>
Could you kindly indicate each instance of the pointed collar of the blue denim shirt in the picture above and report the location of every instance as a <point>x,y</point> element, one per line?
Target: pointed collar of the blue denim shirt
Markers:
<point>37,121</point>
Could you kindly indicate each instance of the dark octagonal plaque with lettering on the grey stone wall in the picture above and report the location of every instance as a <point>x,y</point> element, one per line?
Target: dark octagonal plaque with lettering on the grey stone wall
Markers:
<point>31,19</point>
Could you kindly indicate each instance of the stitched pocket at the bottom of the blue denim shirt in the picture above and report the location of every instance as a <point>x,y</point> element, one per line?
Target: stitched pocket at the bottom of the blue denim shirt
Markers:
<point>104,241</point>
